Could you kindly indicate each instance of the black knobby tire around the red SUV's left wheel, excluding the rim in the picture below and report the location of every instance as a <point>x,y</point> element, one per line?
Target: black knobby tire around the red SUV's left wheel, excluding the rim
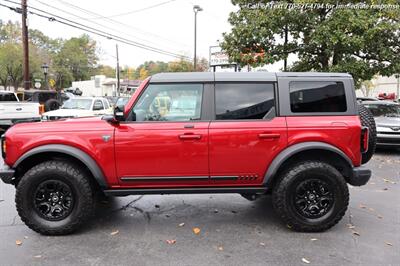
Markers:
<point>68,173</point>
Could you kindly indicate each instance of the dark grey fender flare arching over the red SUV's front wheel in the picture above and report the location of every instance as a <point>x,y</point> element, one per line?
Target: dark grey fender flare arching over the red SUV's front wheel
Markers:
<point>72,151</point>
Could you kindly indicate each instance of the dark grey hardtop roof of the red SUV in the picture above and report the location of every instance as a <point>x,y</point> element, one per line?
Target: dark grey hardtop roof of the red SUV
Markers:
<point>236,76</point>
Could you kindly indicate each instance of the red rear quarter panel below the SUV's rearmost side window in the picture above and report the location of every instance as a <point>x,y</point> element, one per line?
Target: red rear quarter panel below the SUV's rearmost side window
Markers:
<point>343,132</point>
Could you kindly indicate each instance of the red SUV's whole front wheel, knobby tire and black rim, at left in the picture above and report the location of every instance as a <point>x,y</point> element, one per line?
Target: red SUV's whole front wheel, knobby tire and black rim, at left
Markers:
<point>55,198</point>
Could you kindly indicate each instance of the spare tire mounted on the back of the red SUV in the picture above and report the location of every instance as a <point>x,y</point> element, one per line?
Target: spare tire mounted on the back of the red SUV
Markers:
<point>367,120</point>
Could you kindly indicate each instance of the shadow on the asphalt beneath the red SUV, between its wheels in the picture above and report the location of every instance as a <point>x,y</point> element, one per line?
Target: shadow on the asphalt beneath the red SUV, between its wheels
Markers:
<point>213,210</point>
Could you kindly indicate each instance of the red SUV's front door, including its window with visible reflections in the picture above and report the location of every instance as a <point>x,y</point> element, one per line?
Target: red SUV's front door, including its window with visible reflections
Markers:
<point>167,143</point>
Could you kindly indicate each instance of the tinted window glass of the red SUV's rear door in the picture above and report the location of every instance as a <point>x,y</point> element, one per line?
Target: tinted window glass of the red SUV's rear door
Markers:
<point>236,101</point>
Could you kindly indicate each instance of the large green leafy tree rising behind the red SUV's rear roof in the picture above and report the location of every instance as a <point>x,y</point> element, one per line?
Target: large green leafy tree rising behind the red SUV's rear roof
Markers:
<point>363,42</point>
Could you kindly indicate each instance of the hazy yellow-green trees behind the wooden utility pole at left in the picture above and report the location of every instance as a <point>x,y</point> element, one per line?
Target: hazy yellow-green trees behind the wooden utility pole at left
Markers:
<point>69,60</point>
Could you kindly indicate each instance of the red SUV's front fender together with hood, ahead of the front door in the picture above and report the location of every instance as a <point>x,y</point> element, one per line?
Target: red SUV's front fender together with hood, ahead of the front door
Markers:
<point>83,133</point>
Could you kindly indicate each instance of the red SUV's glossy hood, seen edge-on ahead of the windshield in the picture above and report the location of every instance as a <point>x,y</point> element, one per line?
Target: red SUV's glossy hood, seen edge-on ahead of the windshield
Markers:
<point>63,125</point>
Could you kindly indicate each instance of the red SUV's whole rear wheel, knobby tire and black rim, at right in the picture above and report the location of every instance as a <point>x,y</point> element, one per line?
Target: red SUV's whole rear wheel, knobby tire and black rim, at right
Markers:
<point>311,196</point>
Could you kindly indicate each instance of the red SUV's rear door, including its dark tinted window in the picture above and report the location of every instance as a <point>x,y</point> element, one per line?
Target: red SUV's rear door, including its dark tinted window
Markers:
<point>245,134</point>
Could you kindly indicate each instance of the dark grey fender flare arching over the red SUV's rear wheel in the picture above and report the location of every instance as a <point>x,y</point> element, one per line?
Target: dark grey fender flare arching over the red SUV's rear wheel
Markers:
<point>292,150</point>
